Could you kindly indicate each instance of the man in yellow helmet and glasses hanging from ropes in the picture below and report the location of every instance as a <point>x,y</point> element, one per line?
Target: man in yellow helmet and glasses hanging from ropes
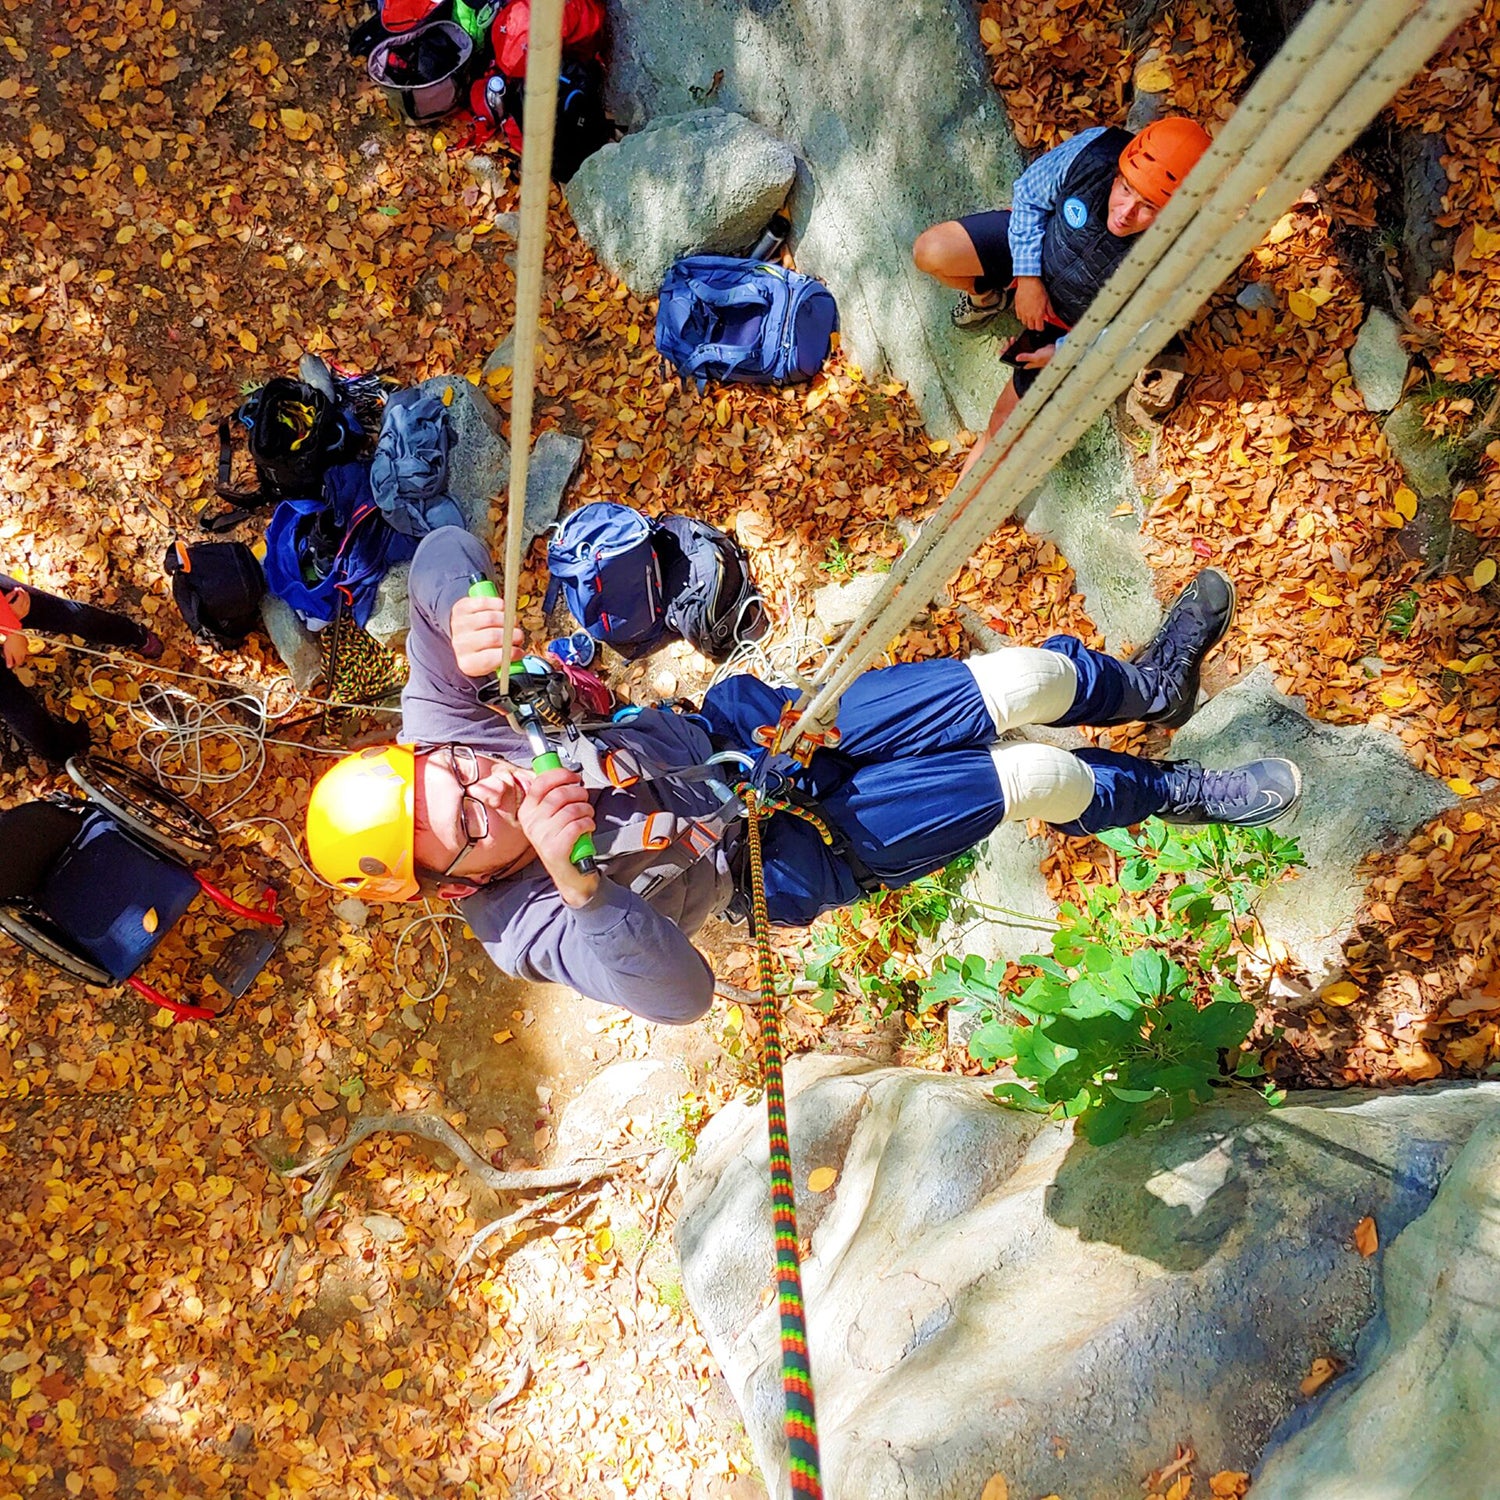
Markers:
<point>920,776</point>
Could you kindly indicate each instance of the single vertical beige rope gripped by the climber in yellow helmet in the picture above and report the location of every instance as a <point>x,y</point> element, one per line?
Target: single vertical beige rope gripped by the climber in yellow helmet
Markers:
<point>539,122</point>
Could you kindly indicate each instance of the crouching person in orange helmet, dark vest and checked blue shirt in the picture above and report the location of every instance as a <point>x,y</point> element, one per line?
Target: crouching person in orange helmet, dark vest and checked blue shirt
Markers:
<point>1072,221</point>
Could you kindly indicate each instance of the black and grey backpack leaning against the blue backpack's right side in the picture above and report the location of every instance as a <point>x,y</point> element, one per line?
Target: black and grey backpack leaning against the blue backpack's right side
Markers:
<point>709,595</point>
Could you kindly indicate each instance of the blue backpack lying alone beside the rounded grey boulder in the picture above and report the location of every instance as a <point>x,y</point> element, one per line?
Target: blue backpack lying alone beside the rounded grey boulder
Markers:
<point>740,320</point>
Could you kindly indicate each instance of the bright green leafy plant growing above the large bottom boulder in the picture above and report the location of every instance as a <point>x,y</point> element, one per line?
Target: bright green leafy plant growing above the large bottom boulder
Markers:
<point>1136,1018</point>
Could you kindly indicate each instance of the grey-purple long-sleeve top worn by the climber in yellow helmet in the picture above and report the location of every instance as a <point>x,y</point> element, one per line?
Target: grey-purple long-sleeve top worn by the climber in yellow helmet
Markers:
<point>620,949</point>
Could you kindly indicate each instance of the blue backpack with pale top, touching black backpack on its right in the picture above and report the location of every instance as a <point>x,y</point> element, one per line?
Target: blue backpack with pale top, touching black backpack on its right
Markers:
<point>604,560</point>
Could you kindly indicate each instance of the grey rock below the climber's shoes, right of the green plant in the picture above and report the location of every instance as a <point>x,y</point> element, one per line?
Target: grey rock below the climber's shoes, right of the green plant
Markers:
<point>1360,796</point>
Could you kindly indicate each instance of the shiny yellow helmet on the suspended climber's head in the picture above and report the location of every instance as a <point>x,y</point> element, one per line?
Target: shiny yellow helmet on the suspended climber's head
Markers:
<point>361,824</point>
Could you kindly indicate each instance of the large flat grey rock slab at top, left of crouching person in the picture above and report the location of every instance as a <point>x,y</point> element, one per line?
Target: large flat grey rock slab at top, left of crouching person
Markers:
<point>896,127</point>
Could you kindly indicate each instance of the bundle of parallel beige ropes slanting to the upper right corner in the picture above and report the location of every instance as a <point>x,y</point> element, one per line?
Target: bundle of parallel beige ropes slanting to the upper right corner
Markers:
<point>1336,73</point>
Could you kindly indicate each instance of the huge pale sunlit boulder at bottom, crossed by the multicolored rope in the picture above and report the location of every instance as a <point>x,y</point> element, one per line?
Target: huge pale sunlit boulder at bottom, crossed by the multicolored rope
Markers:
<point>988,1295</point>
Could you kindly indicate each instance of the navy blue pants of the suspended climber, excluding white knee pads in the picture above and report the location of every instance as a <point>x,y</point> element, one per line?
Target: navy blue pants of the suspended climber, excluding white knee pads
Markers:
<point>913,784</point>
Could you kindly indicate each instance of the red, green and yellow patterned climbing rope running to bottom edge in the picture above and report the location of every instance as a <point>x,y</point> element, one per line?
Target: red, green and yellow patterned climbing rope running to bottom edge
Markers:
<point>797,1378</point>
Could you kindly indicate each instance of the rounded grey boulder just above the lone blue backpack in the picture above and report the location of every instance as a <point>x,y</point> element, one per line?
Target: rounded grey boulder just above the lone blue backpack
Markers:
<point>698,182</point>
